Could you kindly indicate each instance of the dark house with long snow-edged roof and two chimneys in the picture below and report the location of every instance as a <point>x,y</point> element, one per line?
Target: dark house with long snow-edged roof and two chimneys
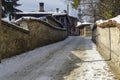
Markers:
<point>63,19</point>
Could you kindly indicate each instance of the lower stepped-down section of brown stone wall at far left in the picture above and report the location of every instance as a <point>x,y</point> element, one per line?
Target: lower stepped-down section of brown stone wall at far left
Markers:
<point>13,40</point>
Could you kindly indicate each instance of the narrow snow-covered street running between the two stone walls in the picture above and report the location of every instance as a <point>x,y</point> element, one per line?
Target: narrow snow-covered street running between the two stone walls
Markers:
<point>75,58</point>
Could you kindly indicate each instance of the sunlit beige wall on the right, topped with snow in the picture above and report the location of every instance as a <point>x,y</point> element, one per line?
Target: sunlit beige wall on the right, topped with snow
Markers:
<point>107,37</point>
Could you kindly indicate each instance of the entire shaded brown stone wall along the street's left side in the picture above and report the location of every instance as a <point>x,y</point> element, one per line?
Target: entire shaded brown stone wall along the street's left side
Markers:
<point>34,33</point>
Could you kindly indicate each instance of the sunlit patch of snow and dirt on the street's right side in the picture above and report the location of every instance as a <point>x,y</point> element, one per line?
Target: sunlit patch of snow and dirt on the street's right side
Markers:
<point>91,67</point>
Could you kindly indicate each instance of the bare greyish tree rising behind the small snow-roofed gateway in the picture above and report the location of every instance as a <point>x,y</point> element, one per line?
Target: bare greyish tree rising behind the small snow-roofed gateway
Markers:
<point>89,10</point>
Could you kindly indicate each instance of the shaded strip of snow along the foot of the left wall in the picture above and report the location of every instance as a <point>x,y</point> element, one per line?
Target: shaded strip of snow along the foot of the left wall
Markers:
<point>13,64</point>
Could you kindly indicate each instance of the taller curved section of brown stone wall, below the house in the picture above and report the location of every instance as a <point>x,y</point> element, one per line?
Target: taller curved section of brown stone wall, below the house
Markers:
<point>44,32</point>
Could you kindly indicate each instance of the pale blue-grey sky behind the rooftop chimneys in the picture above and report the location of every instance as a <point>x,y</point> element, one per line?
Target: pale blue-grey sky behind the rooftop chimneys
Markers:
<point>50,5</point>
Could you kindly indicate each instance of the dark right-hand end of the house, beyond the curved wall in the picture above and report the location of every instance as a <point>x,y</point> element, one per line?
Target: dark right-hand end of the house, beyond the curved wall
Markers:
<point>68,22</point>
